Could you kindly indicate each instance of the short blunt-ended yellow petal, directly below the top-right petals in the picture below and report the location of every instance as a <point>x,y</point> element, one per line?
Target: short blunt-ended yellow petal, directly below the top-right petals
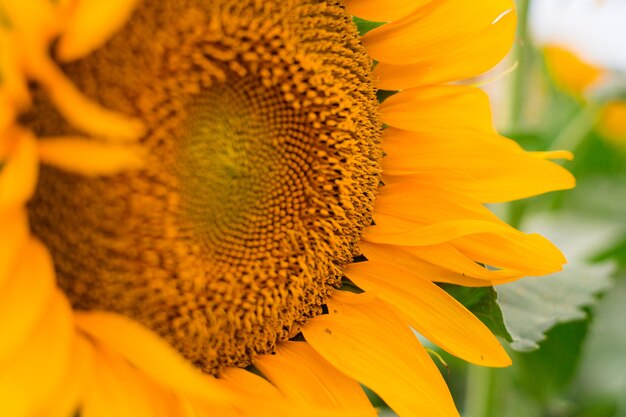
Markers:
<point>438,108</point>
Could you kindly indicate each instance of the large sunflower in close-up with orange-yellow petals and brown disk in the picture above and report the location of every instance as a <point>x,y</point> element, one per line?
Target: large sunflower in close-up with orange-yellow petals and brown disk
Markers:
<point>206,211</point>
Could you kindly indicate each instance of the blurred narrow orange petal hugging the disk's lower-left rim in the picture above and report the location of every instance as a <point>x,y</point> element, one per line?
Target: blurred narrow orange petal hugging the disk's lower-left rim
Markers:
<point>150,354</point>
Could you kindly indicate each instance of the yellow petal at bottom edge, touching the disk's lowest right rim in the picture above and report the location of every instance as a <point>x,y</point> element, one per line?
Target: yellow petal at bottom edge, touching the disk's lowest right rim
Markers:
<point>303,375</point>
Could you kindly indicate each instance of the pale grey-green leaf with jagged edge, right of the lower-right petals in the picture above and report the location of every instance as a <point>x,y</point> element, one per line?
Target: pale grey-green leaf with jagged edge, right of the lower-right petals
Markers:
<point>532,306</point>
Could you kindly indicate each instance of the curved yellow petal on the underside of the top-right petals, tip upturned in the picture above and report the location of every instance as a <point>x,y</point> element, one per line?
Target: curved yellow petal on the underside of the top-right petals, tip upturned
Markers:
<point>474,56</point>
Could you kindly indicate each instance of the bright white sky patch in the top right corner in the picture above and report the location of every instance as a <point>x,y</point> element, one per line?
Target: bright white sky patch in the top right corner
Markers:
<point>593,29</point>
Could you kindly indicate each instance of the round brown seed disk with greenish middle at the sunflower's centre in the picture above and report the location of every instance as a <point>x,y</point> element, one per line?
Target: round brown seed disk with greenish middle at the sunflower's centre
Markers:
<point>264,160</point>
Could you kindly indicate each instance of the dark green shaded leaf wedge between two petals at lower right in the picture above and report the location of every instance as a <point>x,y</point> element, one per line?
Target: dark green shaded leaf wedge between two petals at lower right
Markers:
<point>482,302</point>
